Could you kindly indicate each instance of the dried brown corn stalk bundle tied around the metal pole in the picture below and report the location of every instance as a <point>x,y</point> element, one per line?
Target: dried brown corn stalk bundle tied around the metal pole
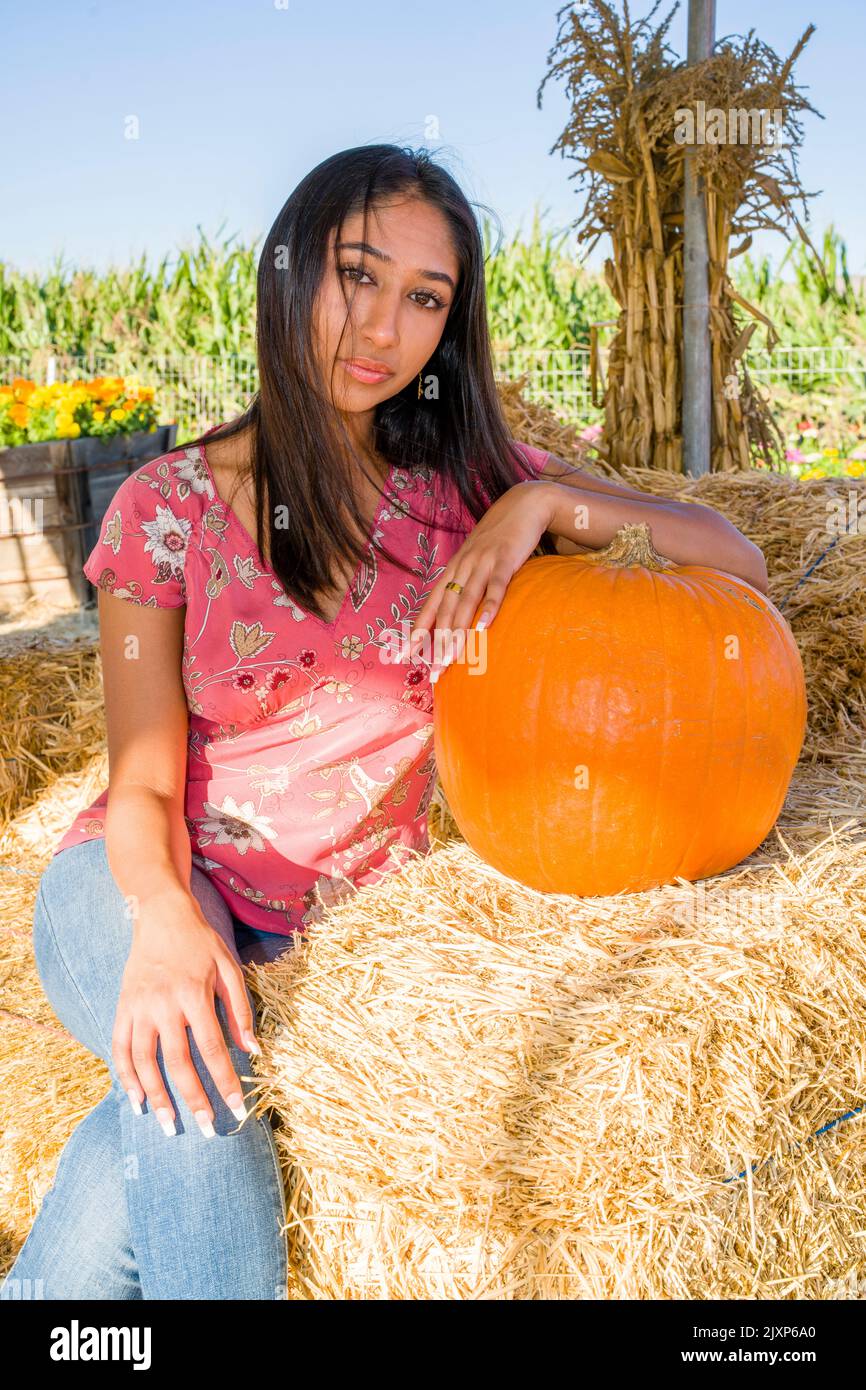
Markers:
<point>630,98</point>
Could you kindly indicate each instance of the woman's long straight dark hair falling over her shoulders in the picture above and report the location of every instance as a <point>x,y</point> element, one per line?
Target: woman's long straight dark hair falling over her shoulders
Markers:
<point>301,451</point>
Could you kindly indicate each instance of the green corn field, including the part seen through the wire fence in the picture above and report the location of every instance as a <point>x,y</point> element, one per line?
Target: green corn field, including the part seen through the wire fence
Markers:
<point>187,327</point>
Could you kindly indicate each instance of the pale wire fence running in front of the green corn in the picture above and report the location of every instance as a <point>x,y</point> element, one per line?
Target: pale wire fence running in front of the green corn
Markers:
<point>198,391</point>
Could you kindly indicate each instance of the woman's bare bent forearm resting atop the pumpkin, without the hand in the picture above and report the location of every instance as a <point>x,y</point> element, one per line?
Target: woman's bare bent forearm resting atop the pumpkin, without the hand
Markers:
<point>587,512</point>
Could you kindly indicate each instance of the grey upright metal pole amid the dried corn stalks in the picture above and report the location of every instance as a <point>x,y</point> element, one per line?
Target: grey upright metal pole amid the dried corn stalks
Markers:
<point>697,363</point>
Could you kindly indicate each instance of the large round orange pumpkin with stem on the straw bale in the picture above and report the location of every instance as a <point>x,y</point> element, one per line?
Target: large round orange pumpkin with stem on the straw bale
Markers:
<point>625,721</point>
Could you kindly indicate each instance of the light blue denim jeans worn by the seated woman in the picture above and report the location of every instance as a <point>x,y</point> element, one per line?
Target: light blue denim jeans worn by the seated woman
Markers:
<point>134,1214</point>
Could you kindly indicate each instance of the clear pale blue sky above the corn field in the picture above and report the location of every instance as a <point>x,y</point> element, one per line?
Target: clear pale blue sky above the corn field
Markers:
<point>238,101</point>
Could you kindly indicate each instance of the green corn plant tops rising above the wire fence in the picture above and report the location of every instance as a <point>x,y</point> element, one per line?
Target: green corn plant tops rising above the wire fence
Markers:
<point>202,304</point>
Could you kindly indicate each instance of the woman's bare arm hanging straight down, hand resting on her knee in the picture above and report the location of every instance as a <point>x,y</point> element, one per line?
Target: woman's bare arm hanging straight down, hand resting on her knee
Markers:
<point>179,963</point>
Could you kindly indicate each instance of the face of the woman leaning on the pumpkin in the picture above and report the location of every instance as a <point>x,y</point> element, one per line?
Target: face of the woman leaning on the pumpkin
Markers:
<point>397,288</point>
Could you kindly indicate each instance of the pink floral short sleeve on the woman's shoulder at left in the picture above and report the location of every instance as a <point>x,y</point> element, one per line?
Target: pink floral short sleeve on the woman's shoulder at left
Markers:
<point>142,547</point>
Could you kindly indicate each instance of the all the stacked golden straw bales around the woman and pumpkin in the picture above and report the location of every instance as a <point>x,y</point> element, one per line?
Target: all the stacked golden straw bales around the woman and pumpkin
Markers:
<point>486,1092</point>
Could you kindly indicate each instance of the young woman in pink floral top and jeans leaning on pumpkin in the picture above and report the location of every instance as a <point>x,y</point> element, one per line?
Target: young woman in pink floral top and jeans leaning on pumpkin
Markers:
<point>266,754</point>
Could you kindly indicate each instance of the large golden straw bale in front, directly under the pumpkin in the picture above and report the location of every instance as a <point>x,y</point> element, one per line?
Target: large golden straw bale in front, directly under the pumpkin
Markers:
<point>487,1092</point>
